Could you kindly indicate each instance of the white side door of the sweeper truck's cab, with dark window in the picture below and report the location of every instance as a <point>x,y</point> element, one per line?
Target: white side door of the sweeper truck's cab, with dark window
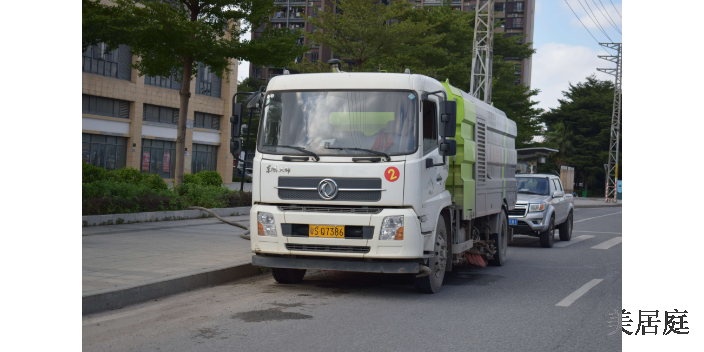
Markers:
<point>433,178</point>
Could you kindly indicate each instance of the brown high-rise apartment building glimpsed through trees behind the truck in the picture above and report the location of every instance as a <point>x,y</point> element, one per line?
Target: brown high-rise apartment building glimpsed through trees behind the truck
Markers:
<point>516,17</point>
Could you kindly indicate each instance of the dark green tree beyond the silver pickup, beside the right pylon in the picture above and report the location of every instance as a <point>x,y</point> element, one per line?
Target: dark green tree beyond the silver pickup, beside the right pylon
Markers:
<point>587,108</point>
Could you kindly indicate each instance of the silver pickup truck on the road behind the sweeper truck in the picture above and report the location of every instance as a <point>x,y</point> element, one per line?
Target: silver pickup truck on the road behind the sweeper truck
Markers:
<point>542,206</point>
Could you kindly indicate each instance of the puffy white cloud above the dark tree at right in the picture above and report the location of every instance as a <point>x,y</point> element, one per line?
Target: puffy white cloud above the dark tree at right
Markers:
<point>556,65</point>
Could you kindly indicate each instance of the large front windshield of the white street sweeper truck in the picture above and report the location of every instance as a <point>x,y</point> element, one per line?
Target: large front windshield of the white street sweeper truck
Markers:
<point>382,121</point>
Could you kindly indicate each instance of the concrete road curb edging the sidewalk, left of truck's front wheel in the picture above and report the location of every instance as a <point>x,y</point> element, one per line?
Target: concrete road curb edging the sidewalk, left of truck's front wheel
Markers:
<point>113,298</point>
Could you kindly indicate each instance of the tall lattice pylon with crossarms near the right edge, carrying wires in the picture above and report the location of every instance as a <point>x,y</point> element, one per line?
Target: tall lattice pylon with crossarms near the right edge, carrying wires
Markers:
<point>612,166</point>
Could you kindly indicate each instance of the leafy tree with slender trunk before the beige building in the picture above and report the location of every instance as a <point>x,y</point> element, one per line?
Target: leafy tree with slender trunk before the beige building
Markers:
<point>171,36</point>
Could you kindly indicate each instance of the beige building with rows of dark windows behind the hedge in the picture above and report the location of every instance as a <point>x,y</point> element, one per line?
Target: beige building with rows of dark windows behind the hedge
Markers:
<point>129,120</point>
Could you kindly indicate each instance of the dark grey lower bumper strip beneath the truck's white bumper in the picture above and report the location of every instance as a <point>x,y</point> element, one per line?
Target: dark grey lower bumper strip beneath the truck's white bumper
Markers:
<point>340,264</point>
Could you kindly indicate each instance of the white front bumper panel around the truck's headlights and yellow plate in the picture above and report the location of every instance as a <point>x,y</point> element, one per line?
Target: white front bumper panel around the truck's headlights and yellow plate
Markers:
<point>411,247</point>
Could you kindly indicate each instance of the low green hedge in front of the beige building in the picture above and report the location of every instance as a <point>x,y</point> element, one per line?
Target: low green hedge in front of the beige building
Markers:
<point>129,191</point>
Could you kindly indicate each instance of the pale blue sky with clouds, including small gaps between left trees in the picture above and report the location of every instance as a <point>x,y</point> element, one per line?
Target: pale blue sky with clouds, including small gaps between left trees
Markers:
<point>565,50</point>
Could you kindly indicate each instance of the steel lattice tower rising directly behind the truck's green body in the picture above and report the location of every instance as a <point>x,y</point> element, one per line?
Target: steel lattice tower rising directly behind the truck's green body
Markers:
<point>483,53</point>
